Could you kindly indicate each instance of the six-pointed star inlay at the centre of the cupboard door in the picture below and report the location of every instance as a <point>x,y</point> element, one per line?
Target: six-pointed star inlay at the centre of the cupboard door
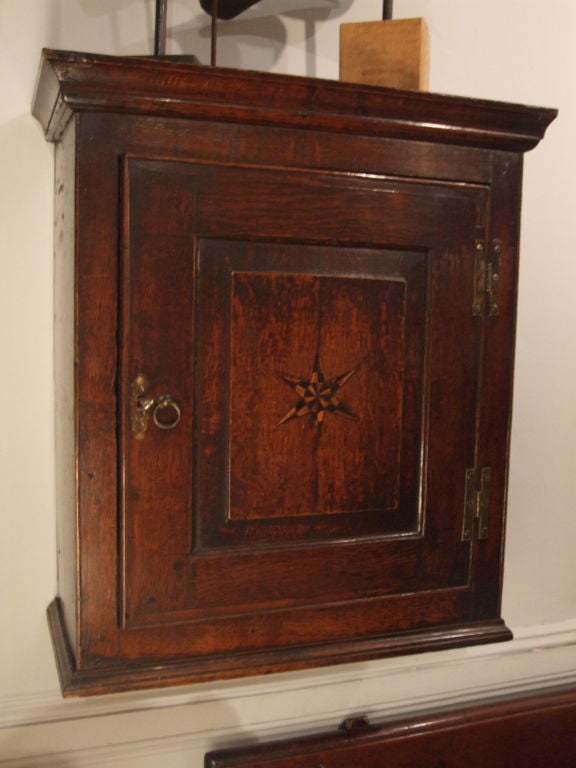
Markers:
<point>317,395</point>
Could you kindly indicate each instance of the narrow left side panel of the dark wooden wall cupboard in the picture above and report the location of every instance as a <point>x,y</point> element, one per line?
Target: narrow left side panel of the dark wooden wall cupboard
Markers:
<point>64,356</point>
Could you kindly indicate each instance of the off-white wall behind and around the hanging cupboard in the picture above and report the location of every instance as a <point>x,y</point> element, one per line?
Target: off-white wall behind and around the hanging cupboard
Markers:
<point>517,50</point>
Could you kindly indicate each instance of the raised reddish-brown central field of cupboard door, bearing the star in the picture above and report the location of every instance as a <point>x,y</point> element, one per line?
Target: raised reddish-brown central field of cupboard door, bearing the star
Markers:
<point>316,395</point>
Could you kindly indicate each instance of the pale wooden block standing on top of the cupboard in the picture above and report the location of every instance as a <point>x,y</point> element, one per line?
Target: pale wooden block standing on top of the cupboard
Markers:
<point>392,53</point>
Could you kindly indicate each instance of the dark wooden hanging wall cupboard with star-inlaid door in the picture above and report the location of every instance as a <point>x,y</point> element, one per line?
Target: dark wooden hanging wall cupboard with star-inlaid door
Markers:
<point>284,341</point>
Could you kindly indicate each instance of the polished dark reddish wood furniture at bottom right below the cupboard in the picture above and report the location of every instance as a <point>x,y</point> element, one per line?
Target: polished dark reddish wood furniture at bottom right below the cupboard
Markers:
<point>535,731</point>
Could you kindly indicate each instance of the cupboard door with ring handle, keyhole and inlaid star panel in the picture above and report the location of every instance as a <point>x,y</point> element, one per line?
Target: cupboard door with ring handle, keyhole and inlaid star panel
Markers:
<point>299,370</point>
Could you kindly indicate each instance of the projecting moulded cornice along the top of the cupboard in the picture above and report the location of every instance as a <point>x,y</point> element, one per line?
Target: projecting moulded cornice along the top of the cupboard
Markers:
<point>71,82</point>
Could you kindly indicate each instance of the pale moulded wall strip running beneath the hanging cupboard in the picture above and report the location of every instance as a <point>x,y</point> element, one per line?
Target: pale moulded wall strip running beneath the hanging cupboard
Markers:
<point>41,729</point>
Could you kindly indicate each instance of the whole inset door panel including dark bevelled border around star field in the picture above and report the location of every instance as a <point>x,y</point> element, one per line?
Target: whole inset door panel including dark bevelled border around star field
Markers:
<point>315,364</point>
